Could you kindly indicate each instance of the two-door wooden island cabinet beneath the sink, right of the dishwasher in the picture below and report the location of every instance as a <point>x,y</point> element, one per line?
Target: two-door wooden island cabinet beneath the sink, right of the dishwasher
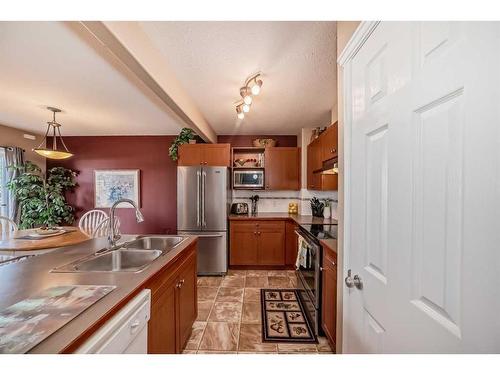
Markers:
<point>173,305</point>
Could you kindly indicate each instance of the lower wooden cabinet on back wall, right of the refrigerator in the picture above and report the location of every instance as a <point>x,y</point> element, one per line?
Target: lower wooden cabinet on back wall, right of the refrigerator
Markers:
<point>257,243</point>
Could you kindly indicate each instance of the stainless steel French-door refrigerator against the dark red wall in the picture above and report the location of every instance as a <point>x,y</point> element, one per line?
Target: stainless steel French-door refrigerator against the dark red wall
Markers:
<point>203,199</point>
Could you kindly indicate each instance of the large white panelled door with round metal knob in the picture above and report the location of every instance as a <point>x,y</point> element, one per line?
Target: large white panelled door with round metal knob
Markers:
<point>422,161</point>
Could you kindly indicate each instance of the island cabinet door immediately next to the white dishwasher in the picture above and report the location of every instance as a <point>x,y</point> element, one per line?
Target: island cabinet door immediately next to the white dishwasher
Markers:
<point>161,326</point>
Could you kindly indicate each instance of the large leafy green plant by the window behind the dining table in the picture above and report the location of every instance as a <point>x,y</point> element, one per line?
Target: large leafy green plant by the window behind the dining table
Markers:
<point>42,197</point>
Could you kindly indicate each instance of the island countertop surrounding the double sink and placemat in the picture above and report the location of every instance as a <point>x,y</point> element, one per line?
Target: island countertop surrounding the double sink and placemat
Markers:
<point>21,280</point>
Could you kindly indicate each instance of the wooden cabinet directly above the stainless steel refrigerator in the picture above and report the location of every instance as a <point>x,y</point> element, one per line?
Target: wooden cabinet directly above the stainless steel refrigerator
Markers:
<point>215,155</point>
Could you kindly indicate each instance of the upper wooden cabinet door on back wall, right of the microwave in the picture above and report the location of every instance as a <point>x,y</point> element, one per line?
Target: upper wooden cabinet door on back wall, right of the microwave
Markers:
<point>282,168</point>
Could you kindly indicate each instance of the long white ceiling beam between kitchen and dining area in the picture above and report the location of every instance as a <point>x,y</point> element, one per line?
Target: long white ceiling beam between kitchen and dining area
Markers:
<point>128,42</point>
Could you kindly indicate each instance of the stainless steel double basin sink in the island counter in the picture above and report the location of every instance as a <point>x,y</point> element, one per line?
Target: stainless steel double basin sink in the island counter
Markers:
<point>132,256</point>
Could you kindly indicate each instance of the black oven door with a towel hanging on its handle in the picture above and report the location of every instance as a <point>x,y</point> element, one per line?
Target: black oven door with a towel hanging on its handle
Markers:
<point>309,269</point>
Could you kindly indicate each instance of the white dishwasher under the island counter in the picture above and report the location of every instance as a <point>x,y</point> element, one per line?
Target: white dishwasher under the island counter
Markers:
<point>126,332</point>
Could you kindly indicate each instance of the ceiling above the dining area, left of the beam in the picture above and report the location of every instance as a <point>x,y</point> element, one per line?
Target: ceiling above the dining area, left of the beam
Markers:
<point>57,64</point>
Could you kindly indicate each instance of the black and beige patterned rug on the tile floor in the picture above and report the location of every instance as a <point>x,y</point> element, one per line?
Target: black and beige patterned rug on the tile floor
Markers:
<point>283,317</point>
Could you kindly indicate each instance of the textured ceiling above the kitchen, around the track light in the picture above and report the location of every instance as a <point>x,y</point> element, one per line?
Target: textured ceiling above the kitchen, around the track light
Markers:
<point>212,60</point>
